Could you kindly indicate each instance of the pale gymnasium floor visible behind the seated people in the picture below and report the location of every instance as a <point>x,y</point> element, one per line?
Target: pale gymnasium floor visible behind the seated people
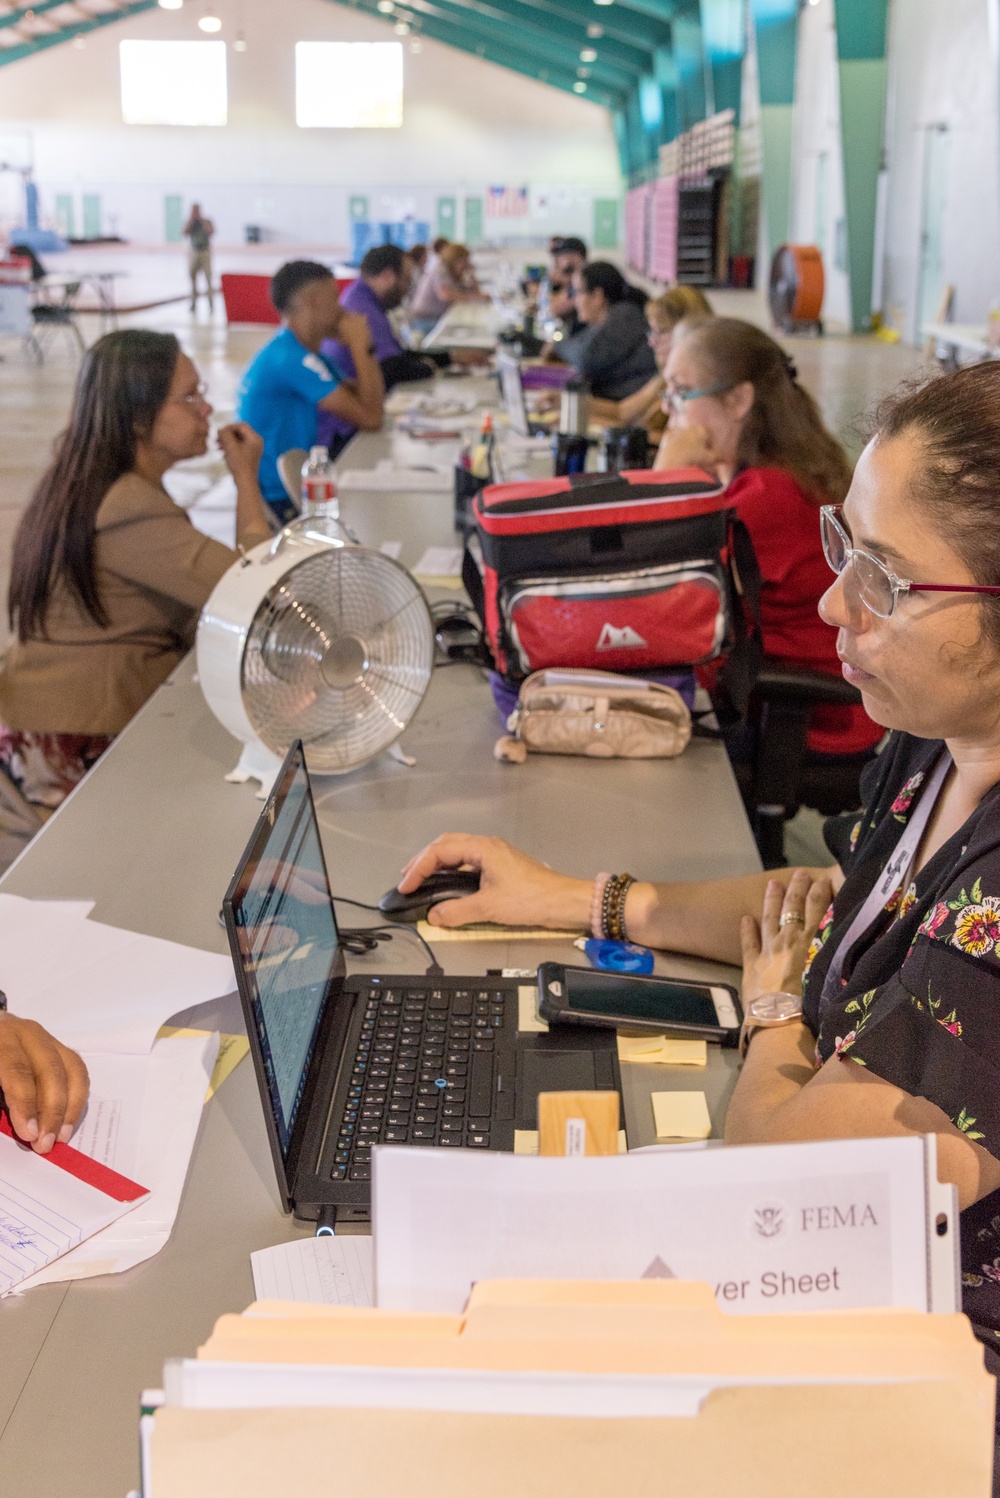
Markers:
<point>848,377</point>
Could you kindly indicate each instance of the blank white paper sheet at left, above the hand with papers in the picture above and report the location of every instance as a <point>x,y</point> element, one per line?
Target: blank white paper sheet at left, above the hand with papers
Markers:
<point>98,988</point>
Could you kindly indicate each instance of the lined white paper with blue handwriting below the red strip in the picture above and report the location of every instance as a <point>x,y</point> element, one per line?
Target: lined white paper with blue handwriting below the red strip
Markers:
<point>44,1213</point>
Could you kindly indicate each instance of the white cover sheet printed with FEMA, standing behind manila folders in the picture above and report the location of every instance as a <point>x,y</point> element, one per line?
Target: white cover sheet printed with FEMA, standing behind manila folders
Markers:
<point>773,1229</point>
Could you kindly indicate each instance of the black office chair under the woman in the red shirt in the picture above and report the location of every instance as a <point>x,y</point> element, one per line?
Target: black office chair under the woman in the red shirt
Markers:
<point>776,781</point>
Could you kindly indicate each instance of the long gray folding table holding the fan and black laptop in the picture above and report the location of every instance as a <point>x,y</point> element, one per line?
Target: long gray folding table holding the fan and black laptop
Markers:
<point>153,837</point>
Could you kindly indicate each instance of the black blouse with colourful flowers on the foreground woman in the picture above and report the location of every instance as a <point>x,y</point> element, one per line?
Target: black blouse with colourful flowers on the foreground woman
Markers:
<point>920,995</point>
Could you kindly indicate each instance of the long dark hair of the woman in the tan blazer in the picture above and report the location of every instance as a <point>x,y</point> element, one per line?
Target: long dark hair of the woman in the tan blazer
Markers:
<point>124,386</point>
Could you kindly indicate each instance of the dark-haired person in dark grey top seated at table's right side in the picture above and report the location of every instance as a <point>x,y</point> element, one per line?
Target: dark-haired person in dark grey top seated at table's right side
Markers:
<point>612,350</point>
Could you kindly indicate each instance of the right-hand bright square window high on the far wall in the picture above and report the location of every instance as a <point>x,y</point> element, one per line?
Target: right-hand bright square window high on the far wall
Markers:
<point>350,86</point>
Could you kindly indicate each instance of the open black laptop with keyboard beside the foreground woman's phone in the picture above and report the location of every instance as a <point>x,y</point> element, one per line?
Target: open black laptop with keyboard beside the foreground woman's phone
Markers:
<point>347,1063</point>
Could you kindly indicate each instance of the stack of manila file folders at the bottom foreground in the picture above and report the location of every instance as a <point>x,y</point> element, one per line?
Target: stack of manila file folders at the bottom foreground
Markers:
<point>574,1389</point>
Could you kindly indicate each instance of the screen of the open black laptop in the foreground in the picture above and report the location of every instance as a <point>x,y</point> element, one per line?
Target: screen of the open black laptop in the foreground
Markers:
<point>288,938</point>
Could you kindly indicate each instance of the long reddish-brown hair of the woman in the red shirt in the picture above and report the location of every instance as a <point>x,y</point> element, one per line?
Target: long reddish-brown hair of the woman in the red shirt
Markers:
<point>784,428</point>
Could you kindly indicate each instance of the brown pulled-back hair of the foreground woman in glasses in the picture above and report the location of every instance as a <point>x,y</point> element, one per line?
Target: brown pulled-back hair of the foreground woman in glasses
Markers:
<point>956,419</point>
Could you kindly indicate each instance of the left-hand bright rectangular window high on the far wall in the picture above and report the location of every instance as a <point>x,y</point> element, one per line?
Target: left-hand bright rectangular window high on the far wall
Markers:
<point>174,83</point>
